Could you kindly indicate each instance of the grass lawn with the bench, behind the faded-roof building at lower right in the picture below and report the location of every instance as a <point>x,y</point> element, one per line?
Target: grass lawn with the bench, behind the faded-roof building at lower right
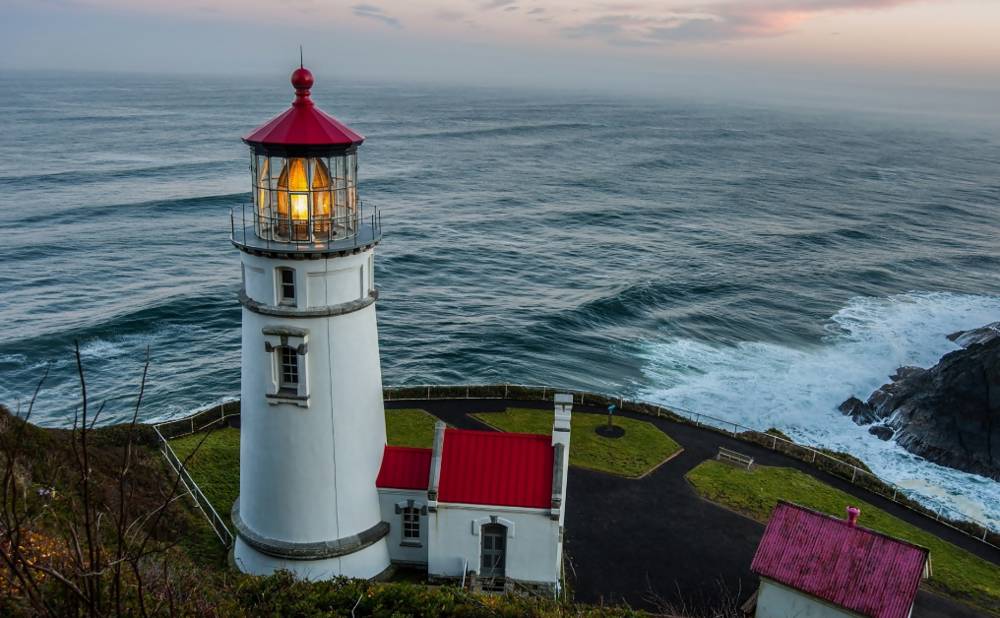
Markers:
<point>956,572</point>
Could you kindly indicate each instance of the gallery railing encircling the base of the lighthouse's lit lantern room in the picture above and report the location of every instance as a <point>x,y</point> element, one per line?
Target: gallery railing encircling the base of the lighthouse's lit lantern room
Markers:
<point>255,229</point>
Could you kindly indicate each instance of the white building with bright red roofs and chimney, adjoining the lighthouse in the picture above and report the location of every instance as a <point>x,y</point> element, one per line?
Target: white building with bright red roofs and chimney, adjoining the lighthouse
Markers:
<point>481,504</point>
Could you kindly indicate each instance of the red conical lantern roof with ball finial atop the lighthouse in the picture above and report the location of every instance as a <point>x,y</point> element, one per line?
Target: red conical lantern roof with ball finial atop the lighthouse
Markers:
<point>304,124</point>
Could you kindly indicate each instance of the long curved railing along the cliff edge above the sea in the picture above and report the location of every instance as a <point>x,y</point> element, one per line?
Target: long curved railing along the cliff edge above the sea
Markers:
<point>848,471</point>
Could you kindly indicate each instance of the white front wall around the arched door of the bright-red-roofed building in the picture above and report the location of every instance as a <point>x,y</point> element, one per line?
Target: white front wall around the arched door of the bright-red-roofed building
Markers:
<point>534,541</point>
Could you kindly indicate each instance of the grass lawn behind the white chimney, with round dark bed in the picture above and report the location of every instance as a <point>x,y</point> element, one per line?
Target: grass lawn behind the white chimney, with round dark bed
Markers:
<point>642,448</point>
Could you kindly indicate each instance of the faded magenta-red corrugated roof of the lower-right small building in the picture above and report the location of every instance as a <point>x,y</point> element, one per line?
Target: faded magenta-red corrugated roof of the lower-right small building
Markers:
<point>856,568</point>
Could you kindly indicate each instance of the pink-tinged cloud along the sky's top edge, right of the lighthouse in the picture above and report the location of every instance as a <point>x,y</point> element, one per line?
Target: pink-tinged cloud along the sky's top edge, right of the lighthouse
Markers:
<point>725,21</point>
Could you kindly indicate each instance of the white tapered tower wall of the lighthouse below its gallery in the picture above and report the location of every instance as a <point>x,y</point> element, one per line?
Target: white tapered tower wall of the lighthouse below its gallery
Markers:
<point>309,460</point>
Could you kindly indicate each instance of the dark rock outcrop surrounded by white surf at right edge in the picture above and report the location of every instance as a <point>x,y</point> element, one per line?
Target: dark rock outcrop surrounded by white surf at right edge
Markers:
<point>950,413</point>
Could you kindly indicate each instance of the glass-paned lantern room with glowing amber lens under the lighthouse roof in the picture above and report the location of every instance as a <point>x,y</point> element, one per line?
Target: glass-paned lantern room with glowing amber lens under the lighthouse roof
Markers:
<point>305,199</point>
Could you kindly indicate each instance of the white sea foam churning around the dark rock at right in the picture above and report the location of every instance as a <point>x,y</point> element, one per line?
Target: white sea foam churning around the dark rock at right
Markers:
<point>765,385</point>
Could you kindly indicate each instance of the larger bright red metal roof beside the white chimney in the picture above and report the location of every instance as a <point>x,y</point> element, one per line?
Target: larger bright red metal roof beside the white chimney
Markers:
<point>503,469</point>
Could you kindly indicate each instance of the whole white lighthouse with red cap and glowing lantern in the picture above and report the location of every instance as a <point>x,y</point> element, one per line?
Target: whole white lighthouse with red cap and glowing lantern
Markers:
<point>313,425</point>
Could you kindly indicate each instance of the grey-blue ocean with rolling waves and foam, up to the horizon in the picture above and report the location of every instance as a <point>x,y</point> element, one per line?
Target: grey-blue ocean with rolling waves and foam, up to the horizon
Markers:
<point>756,262</point>
